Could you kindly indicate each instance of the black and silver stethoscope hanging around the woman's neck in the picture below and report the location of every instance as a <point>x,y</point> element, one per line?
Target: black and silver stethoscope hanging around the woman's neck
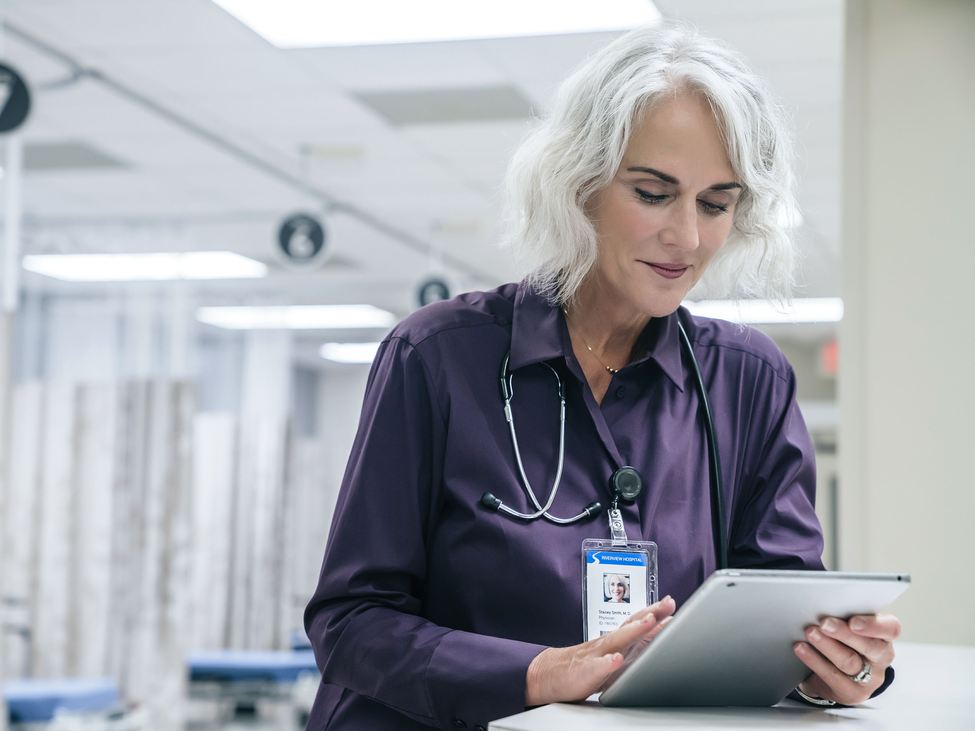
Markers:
<point>626,483</point>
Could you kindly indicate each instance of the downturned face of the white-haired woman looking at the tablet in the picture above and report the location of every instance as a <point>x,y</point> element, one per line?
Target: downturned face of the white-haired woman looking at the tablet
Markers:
<point>667,211</point>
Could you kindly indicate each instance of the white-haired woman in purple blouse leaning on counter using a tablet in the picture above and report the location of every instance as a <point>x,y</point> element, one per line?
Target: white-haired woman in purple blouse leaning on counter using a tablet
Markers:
<point>664,159</point>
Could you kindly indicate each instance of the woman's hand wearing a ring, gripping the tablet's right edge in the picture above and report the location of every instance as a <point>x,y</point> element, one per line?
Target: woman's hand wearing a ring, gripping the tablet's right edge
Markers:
<point>837,650</point>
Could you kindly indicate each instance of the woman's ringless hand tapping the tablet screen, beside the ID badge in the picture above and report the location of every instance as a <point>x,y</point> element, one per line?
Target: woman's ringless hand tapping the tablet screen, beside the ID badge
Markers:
<point>565,674</point>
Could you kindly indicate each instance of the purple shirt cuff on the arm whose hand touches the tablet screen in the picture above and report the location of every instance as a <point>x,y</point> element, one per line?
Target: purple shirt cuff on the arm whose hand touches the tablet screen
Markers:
<point>475,679</point>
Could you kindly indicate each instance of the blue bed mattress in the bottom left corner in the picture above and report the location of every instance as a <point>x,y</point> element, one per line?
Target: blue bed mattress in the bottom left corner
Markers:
<point>31,700</point>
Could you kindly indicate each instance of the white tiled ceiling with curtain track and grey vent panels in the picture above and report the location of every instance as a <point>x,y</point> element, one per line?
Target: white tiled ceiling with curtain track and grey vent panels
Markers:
<point>166,125</point>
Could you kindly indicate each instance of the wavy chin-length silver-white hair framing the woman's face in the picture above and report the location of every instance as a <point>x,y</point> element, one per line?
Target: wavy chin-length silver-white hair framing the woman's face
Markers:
<point>577,149</point>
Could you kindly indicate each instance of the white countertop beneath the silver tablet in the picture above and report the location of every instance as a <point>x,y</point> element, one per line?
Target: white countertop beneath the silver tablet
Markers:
<point>934,690</point>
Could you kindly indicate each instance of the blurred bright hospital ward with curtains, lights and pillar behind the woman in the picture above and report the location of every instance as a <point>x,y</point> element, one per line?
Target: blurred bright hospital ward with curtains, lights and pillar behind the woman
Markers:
<point>214,209</point>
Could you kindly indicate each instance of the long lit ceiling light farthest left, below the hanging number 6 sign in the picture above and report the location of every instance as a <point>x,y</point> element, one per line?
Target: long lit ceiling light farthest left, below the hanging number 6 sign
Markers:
<point>145,267</point>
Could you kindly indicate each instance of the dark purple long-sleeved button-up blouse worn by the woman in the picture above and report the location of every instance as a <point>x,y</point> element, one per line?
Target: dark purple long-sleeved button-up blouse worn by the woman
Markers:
<point>430,607</point>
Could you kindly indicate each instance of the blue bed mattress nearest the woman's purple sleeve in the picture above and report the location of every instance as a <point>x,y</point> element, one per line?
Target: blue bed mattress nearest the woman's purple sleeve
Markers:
<point>228,666</point>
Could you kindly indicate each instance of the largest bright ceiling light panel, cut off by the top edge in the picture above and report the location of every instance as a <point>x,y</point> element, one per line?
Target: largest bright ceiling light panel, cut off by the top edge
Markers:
<point>312,23</point>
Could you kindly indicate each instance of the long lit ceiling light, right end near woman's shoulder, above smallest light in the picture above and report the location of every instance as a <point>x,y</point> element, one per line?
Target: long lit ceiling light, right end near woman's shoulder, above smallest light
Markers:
<point>296,317</point>
